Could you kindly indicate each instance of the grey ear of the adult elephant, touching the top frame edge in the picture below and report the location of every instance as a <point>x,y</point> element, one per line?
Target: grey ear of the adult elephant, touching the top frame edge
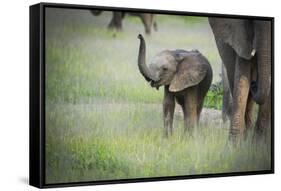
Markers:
<point>238,33</point>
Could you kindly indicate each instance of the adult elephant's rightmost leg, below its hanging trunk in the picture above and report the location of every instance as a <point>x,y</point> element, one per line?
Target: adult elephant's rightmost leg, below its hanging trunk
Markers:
<point>264,117</point>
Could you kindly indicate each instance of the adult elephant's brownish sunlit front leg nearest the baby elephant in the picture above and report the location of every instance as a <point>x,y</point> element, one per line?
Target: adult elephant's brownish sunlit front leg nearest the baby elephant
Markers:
<point>240,97</point>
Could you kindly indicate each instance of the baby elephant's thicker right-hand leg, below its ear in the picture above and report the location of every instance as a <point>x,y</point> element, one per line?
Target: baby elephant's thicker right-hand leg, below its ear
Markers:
<point>190,109</point>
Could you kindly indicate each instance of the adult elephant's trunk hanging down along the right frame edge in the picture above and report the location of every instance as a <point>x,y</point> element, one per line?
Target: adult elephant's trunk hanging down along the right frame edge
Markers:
<point>260,89</point>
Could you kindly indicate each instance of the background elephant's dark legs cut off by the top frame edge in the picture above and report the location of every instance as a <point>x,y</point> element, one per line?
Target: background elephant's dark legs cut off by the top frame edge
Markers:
<point>147,19</point>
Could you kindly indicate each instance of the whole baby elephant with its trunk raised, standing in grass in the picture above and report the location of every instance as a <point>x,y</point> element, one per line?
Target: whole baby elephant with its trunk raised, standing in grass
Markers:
<point>186,77</point>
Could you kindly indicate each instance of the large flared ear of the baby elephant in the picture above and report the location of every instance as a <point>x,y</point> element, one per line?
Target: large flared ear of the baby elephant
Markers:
<point>190,72</point>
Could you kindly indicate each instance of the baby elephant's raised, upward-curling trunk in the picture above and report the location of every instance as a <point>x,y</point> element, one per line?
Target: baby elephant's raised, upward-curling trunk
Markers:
<point>141,61</point>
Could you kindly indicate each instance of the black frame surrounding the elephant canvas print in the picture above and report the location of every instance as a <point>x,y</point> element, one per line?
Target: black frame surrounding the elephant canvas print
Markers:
<point>37,96</point>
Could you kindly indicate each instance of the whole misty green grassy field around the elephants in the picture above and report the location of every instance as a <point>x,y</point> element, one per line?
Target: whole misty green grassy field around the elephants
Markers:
<point>103,121</point>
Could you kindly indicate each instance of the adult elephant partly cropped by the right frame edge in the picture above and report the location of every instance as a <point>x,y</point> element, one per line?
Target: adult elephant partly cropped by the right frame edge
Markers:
<point>245,48</point>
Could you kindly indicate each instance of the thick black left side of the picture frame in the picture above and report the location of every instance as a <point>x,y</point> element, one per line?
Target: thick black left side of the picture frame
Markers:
<point>36,104</point>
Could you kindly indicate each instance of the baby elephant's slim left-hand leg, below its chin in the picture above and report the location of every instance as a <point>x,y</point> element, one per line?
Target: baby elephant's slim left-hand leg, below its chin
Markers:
<point>168,110</point>
